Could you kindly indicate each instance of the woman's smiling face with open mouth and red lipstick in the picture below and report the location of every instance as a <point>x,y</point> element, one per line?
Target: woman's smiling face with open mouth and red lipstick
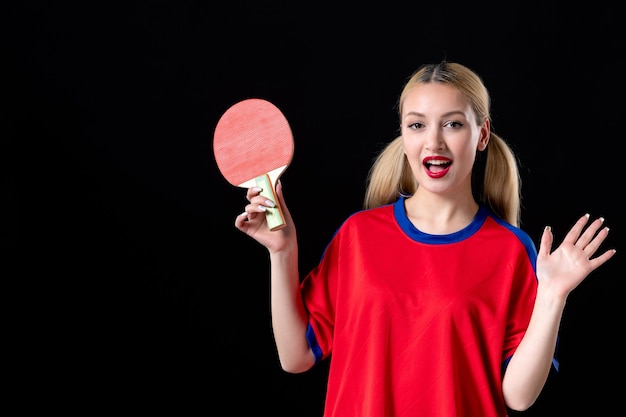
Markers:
<point>441,137</point>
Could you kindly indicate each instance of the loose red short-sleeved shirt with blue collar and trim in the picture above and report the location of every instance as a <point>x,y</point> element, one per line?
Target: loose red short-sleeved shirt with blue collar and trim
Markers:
<point>418,324</point>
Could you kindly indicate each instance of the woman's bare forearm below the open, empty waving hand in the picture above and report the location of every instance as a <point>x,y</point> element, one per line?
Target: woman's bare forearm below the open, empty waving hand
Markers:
<point>529,367</point>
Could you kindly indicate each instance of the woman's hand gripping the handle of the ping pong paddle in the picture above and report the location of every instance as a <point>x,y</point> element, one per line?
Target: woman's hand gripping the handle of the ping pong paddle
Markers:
<point>253,221</point>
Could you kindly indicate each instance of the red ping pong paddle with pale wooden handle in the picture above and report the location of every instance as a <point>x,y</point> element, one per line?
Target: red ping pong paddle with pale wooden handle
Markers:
<point>253,145</point>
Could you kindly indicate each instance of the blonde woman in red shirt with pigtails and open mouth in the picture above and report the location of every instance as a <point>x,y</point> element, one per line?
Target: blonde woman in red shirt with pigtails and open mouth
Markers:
<point>432,301</point>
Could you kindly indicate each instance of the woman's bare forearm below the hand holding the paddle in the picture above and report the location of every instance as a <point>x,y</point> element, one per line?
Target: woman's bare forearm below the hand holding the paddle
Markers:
<point>289,317</point>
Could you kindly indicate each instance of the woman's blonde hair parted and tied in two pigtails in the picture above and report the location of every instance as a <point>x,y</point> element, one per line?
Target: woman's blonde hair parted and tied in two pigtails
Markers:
<point>391,177</point>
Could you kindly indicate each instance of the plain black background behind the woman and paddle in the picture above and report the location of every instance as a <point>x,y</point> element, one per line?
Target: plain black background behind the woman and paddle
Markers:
<point>137,294</point>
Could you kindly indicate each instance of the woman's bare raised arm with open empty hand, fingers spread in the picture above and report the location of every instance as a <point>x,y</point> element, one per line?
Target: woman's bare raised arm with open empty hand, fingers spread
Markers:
<point>558,273</point>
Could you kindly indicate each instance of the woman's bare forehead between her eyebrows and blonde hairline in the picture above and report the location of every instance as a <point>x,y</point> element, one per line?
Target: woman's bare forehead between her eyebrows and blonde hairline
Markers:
<point>435,98</point>
